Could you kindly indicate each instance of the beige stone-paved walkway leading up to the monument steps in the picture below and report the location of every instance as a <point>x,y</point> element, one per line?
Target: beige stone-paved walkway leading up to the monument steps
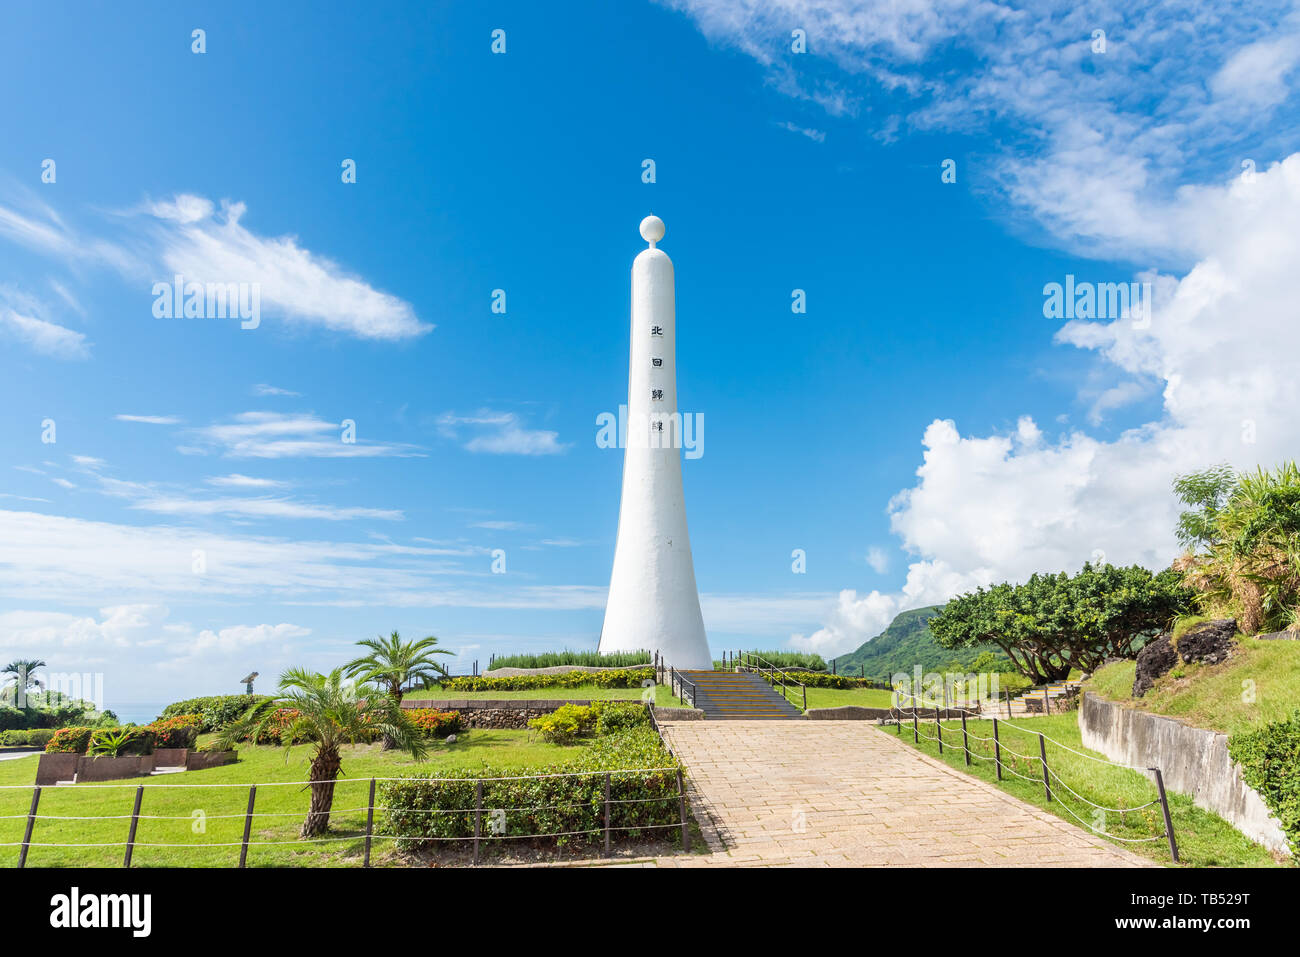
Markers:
<point>847,794</point>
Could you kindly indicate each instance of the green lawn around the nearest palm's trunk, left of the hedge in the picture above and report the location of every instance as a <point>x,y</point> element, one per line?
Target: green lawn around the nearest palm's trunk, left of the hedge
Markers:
<point>194,815</point>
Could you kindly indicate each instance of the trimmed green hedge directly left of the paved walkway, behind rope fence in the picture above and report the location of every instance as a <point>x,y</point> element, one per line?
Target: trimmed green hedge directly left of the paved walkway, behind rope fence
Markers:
<point>565,811</point>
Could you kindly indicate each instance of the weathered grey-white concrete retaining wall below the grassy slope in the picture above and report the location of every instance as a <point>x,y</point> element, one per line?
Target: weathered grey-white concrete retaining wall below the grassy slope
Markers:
<point>1194,761</point>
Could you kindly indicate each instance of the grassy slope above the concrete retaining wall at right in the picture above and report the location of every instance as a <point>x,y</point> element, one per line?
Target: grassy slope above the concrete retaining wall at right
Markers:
<point>1217,696</point>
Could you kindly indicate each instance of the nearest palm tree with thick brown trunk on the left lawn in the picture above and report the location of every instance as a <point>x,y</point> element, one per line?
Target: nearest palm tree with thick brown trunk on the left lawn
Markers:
<point>331,713</point>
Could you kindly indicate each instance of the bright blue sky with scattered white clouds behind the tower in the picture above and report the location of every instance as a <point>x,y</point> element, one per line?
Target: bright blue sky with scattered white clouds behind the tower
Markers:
<point>921,430</point>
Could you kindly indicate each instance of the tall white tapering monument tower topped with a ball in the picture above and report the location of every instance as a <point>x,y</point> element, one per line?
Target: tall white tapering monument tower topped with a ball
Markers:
<point>653,601</point>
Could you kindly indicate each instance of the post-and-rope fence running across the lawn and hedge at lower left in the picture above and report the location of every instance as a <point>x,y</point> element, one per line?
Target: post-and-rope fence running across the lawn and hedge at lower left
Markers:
<point>605,806</point>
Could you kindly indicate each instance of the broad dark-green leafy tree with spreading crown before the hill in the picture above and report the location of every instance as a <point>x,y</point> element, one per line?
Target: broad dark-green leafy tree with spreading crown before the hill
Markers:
<point>1054,623</point>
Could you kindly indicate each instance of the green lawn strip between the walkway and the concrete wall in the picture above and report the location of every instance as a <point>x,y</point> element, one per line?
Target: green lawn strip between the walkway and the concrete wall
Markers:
<point>1204,839</point>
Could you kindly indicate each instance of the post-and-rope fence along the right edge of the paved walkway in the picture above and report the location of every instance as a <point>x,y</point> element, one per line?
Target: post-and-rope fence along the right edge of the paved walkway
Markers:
<point>1048,774</point>
